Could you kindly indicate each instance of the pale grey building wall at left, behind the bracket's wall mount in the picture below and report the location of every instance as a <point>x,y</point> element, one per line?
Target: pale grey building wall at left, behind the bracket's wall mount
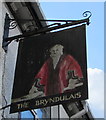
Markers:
<point>7,66</point>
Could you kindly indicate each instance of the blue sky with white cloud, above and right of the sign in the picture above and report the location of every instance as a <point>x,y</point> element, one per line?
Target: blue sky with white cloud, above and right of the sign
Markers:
<point>94,41</point>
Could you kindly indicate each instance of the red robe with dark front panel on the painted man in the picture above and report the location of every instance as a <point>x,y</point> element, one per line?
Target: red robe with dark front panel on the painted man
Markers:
<point>55,80</point>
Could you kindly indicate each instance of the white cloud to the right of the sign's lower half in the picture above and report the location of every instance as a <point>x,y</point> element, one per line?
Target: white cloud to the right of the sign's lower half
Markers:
<point>96,88</point>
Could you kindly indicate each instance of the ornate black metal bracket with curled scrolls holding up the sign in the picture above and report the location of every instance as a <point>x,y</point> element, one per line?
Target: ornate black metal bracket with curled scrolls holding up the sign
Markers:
<point>56,25</point>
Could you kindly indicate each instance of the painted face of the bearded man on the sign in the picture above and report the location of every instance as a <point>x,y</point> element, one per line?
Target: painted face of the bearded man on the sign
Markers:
<point>56,51</point>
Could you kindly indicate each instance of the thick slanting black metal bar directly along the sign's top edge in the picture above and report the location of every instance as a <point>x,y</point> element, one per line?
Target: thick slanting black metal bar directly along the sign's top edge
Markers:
<point>43,30</point>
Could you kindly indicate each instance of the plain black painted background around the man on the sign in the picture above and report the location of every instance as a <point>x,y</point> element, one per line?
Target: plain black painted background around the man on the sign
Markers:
<point>33,52</point>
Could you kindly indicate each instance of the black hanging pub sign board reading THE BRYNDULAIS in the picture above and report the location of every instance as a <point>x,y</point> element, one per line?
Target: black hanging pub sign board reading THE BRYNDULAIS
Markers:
<point>50,70</point>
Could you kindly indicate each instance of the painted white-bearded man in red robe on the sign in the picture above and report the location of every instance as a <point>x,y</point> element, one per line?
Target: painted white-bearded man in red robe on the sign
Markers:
<point>54,74</point>
